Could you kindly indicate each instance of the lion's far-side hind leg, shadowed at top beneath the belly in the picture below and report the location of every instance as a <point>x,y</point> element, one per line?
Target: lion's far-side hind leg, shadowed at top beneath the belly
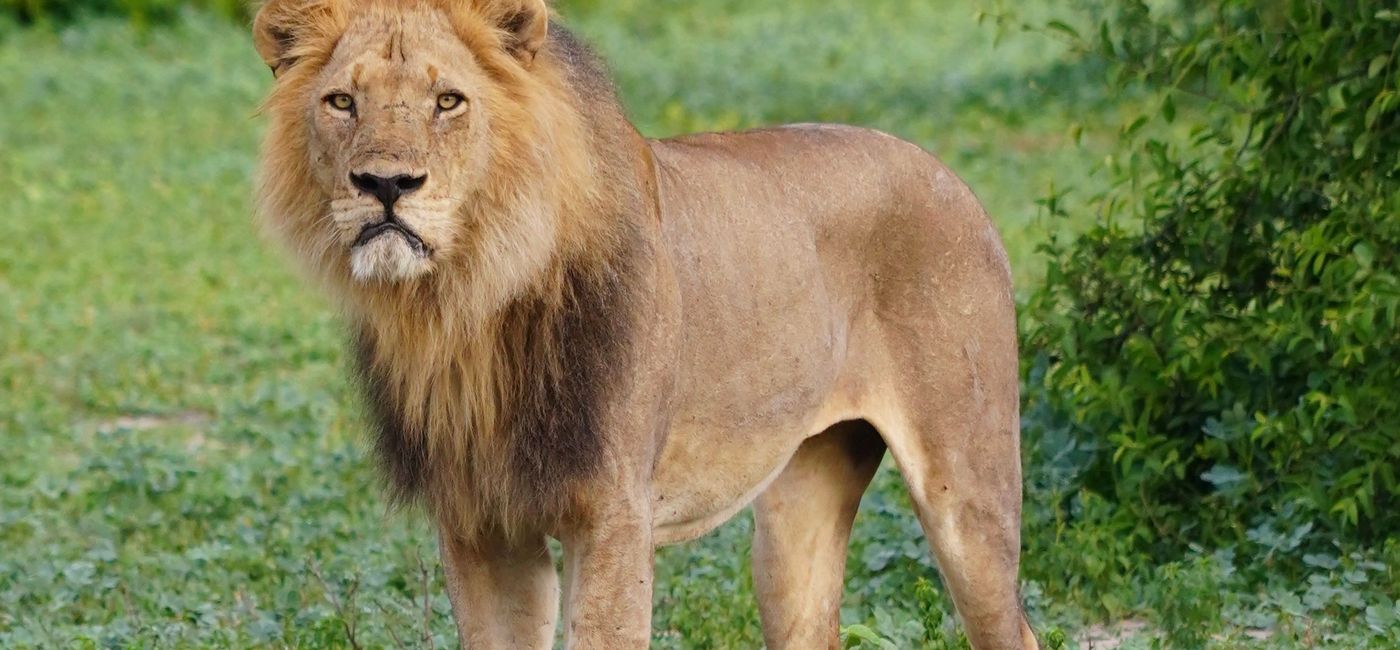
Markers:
<point>803,523</point>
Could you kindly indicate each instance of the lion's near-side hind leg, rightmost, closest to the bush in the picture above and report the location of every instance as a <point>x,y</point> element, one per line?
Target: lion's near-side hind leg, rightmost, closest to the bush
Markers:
<point>955,441</point>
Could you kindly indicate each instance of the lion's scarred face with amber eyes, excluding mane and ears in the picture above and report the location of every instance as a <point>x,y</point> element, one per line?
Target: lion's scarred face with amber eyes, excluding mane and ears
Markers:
<point>398,141</point>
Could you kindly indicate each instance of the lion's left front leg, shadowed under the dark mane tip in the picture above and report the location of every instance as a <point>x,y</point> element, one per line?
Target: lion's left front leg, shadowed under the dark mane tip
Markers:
<point>505,596</point>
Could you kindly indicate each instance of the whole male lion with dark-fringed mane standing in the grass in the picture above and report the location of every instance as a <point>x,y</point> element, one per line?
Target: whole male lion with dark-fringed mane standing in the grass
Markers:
<point>566,330</point>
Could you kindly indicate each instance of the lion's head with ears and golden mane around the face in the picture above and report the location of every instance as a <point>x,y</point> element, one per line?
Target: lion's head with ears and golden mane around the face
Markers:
<point>414,141</point>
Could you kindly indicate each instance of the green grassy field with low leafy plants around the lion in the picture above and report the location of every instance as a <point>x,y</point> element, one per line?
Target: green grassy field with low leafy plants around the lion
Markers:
<point>181,457</point>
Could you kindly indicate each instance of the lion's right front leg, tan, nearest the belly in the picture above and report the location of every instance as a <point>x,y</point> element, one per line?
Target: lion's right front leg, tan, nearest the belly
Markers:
<point>608,571</point>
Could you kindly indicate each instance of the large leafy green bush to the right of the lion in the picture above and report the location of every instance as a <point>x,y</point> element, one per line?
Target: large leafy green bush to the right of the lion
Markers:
<point>1220,357</point>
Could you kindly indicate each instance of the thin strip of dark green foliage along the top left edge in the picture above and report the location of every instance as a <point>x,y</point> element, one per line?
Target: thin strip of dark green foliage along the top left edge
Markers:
<point>141,12</point>
